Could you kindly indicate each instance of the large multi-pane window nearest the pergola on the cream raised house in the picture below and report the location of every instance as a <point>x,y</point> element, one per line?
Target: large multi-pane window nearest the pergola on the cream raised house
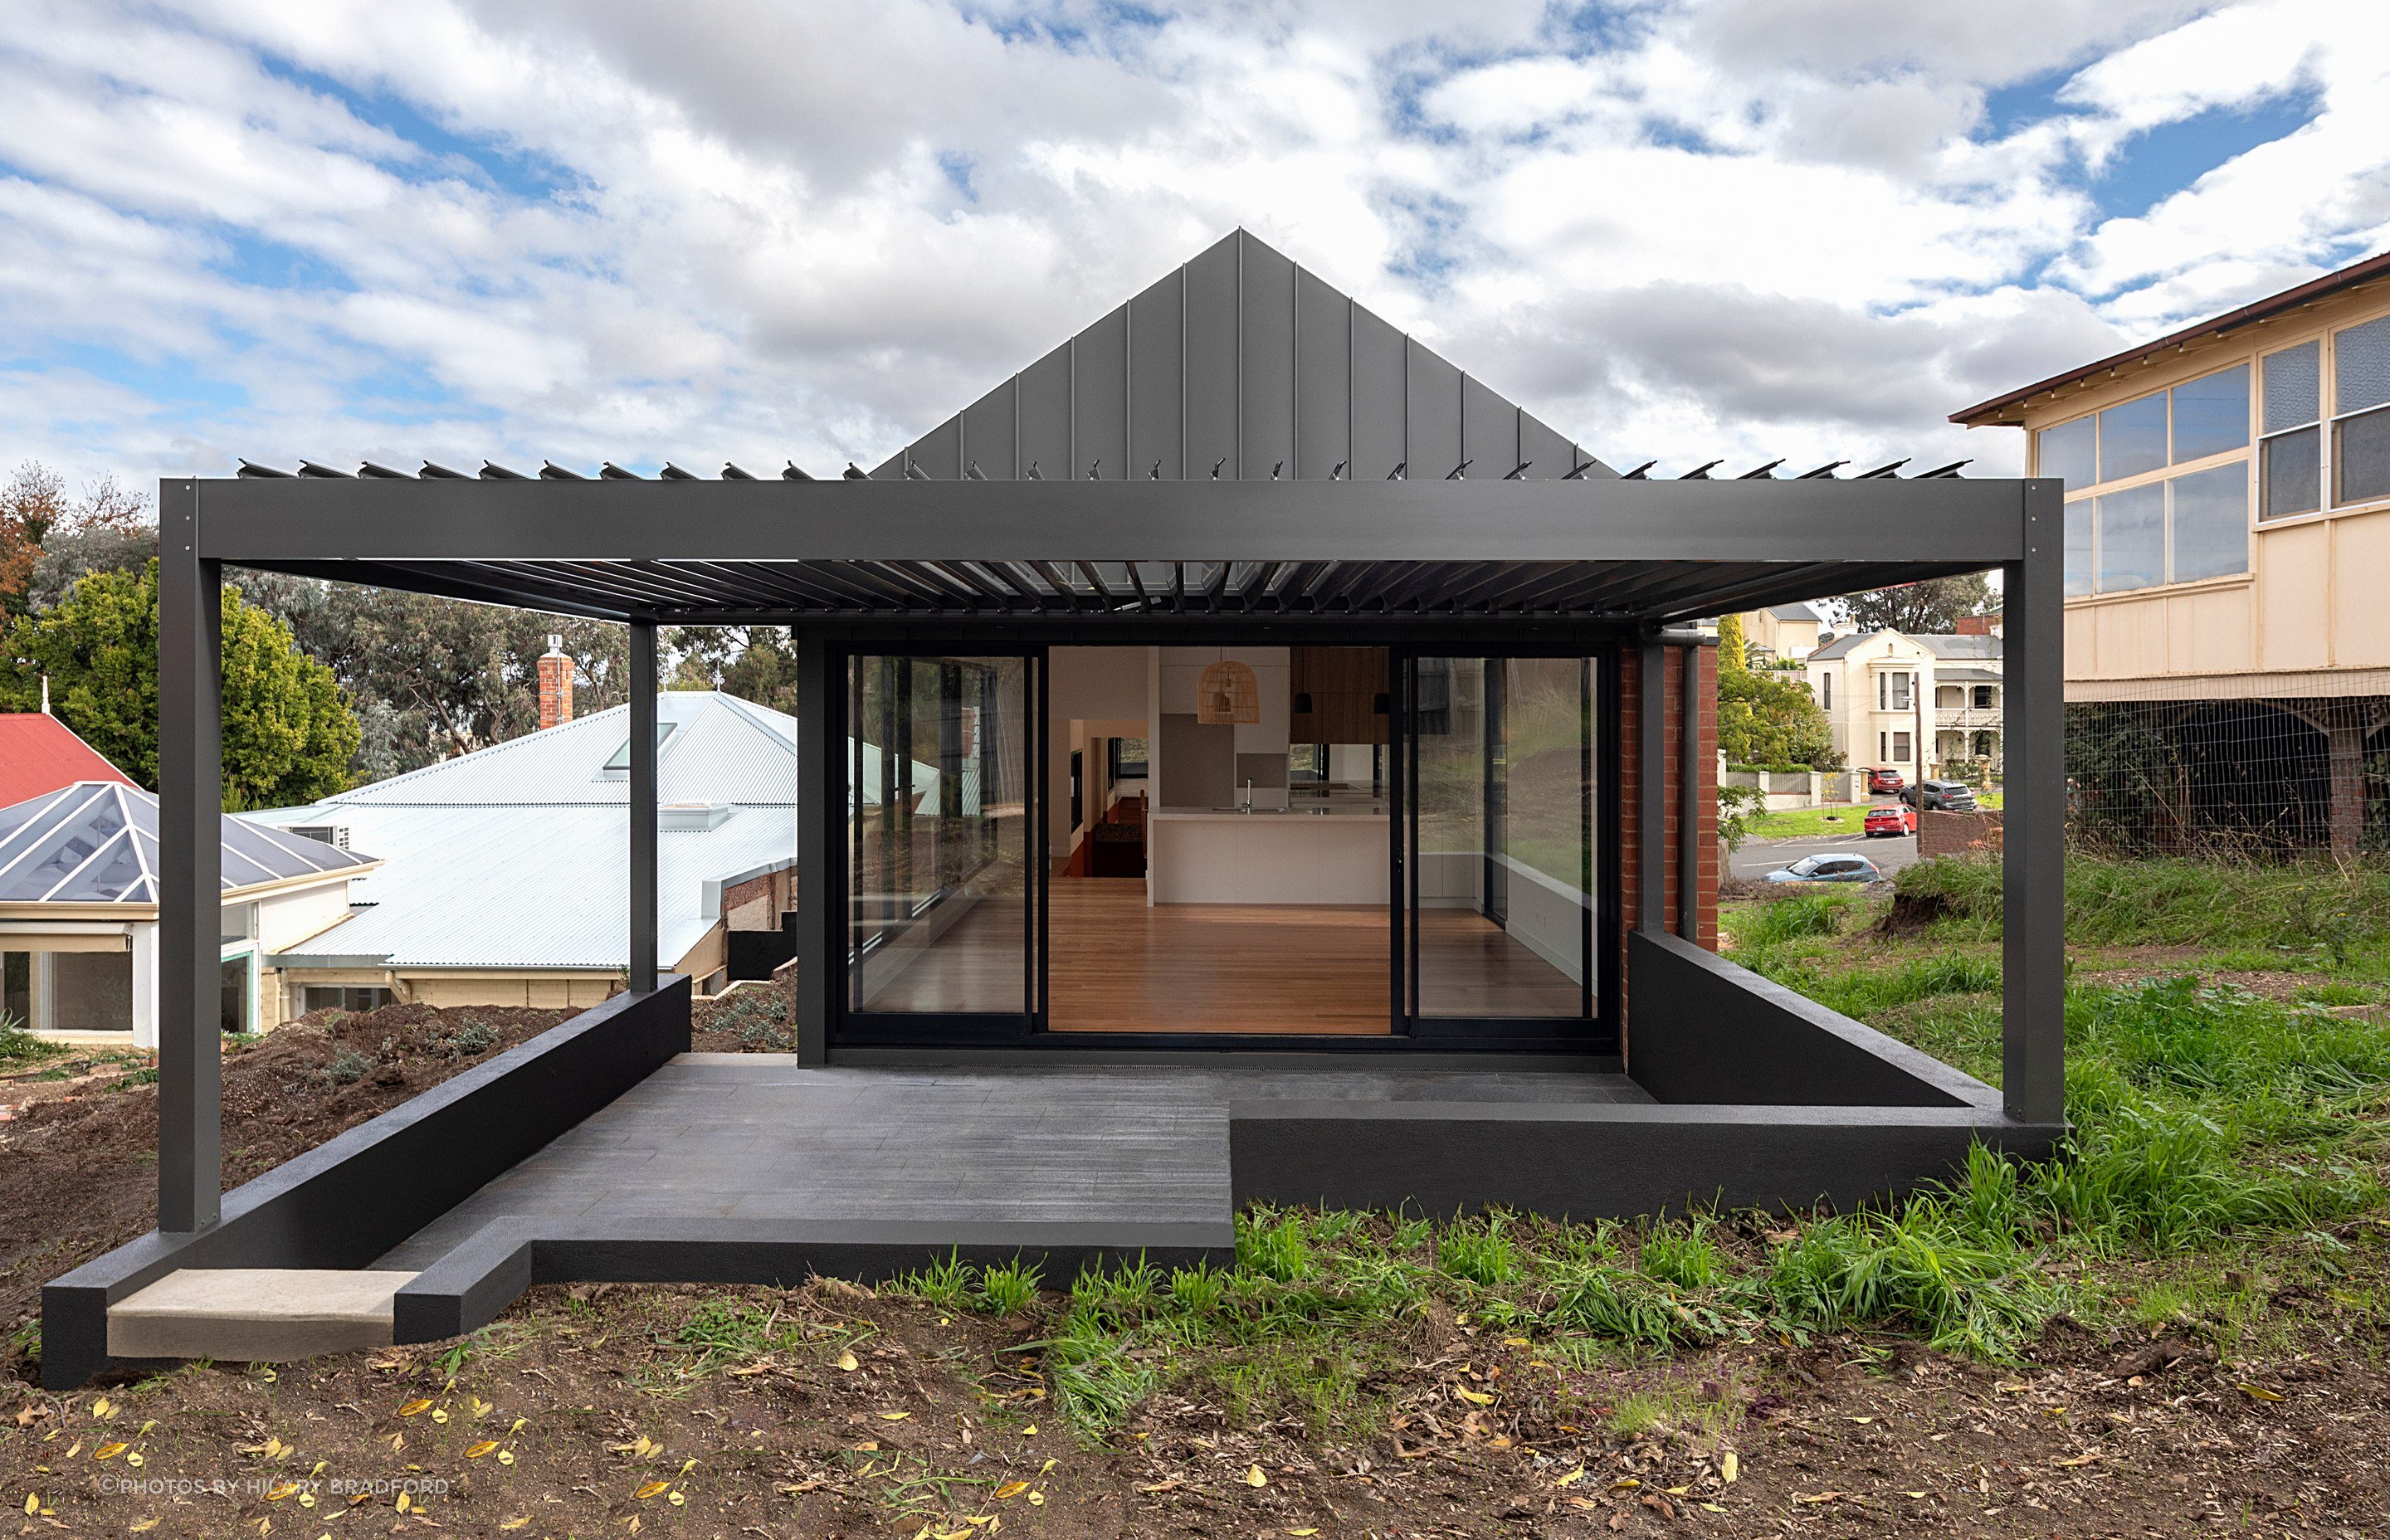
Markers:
<point>2174,530</point>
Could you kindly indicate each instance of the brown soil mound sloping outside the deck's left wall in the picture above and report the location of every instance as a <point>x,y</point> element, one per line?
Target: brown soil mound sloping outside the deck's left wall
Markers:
<point>80,1159</point>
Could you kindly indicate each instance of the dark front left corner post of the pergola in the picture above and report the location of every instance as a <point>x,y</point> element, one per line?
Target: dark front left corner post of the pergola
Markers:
<point>190,867</point>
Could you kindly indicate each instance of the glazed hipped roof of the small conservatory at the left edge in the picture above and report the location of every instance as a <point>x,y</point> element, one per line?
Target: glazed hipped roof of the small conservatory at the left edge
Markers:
<point>97,843</point>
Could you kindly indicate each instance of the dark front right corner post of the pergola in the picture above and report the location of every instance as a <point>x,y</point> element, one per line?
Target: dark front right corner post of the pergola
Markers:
<point>2035,819</point>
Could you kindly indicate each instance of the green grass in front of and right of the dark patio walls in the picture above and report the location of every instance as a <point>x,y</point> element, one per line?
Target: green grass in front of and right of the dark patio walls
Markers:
<point>2217,1139</point>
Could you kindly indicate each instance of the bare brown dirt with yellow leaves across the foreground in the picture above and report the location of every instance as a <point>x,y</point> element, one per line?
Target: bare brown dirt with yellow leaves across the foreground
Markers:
<point>589,1412</point>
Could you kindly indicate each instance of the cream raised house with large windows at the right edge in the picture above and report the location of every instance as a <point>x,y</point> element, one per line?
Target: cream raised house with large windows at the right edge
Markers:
<point>2229,518</point>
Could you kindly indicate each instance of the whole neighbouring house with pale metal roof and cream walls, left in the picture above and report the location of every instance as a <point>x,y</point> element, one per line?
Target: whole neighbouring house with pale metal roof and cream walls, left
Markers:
<point>503,876</point>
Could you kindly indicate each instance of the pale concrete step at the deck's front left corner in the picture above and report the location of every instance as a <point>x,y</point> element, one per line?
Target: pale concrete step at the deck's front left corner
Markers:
<point>255,1314</point>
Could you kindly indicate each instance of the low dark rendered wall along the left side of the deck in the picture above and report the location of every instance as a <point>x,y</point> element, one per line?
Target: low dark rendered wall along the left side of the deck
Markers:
<point>355,1197</point>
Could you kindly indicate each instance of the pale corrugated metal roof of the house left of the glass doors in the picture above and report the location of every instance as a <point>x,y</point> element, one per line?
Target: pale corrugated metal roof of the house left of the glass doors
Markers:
<point>515,857</point>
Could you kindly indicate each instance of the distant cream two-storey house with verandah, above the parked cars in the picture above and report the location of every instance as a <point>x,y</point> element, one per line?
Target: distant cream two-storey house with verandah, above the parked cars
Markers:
<point>1889,692</point>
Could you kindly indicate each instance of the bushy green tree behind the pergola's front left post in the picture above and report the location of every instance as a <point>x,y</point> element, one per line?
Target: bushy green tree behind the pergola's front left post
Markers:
<point>288,731</point>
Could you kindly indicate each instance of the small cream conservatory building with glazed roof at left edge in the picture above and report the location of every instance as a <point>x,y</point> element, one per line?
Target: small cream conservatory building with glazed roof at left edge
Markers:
<point>80,912</point>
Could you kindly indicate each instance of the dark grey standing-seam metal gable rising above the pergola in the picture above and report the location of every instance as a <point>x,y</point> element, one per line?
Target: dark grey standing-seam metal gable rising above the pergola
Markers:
<point>1242,367</point>
